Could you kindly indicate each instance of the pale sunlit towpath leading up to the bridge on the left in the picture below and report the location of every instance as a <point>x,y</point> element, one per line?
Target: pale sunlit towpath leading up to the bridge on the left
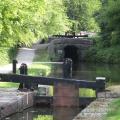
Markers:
<point>25,55</point>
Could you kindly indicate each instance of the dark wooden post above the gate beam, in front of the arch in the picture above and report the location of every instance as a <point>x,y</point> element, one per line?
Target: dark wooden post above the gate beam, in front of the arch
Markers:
<point>67,68</point>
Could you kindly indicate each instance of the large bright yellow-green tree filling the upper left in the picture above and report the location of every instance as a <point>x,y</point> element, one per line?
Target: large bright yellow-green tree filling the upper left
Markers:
<point>25,21</point>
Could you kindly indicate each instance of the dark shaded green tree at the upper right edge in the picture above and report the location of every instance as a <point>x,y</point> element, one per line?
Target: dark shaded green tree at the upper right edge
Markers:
<point>109,23</point>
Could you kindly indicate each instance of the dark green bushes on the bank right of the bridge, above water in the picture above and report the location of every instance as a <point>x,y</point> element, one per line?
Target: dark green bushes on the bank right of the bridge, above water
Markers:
<point>103,55</point>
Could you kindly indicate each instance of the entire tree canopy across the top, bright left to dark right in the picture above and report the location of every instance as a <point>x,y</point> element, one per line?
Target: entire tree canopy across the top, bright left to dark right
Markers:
<point>25,21</point>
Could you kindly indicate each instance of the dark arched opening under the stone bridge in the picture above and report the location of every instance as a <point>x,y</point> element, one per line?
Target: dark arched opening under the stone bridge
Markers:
<point>71,51</point>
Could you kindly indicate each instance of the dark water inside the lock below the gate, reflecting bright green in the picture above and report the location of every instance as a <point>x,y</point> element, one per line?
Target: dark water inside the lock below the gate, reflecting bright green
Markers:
<point>45,114</point>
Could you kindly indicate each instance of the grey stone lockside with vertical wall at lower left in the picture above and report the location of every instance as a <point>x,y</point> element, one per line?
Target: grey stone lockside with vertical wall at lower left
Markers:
<point>13,101</point>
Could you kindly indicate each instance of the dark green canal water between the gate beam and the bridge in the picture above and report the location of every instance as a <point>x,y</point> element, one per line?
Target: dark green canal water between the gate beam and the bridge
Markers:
<point>89,71</point>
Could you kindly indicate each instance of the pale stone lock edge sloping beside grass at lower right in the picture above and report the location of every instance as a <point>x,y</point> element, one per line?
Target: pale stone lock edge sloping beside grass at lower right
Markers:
<point>99,108</point>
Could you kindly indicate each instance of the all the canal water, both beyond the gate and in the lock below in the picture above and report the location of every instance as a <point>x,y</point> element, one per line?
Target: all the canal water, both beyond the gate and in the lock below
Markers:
<point>83,72</point>
